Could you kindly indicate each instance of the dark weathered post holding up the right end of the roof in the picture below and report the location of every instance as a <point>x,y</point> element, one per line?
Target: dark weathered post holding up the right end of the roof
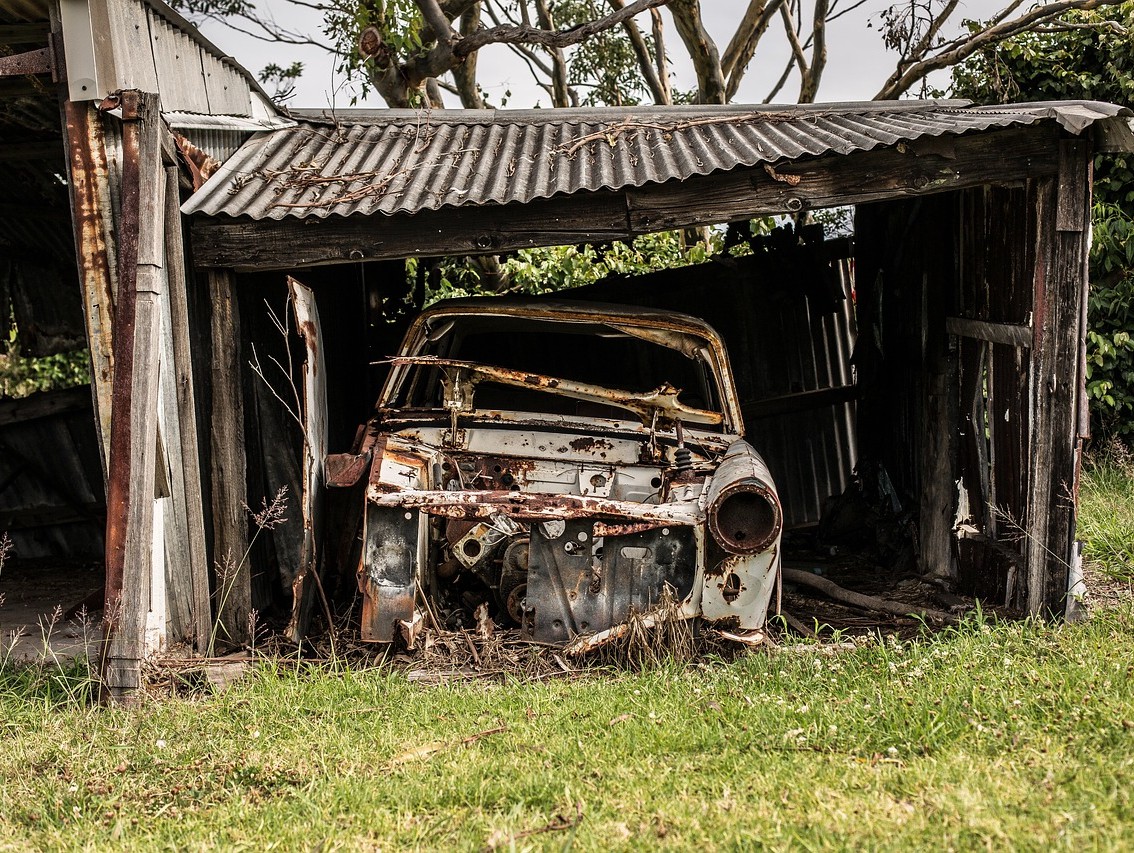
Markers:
<point>1061,278</point>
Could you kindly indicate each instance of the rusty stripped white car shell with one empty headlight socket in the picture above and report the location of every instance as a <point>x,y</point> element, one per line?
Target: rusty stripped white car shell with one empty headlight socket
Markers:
<point>560,467</point>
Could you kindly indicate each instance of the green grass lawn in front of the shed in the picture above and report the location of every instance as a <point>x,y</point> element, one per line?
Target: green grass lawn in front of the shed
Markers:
<point>989,736</point>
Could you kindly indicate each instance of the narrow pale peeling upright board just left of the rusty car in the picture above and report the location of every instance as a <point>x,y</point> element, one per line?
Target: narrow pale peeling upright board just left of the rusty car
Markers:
<point>308,584</point>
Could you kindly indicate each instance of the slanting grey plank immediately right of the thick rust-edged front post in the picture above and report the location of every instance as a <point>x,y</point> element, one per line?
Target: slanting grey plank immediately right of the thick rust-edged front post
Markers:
<point>191,477</point>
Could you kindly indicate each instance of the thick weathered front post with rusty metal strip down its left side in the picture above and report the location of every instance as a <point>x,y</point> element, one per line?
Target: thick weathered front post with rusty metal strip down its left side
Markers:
<point>134,408</point>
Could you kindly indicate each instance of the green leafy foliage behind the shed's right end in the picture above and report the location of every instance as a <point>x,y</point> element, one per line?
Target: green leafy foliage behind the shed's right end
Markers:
<point>1089,56</point>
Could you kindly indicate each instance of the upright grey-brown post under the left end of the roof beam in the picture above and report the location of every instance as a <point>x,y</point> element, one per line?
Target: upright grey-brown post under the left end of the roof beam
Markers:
<point>230,466</point>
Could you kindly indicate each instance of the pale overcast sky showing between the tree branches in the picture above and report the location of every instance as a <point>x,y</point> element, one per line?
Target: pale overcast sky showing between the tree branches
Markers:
<point>858,63</point>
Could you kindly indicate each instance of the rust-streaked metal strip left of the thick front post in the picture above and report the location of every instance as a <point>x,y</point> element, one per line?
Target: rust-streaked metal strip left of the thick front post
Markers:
<point>96,256</point>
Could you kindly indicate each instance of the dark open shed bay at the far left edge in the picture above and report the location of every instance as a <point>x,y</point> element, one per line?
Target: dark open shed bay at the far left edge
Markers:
<point>53,501</point>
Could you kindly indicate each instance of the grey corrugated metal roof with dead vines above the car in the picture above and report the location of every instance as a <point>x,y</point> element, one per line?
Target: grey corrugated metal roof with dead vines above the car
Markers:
<point>404,162</point>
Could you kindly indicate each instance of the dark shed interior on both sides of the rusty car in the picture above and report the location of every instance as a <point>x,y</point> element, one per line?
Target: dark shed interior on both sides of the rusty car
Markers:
<point>785,306</point>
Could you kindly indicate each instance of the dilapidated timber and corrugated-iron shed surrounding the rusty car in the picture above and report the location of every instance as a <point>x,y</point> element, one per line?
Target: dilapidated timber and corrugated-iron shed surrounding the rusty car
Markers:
<point>951,366</point>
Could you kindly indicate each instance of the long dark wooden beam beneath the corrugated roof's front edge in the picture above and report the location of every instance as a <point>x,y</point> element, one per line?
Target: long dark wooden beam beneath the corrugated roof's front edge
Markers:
<point>290,243</point>
